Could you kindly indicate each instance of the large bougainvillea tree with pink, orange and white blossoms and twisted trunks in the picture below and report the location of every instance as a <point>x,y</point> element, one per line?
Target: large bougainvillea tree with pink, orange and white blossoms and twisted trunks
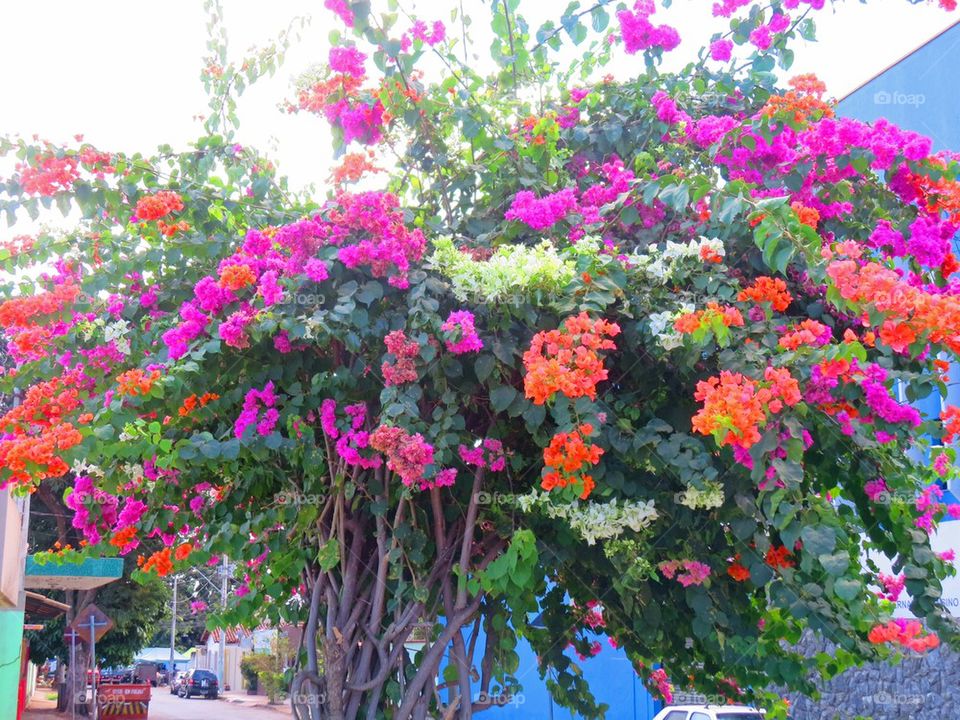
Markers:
<point>634,356</point>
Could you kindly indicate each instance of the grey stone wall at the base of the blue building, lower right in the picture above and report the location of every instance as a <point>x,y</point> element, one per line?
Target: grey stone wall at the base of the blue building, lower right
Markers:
<point>923,687</point>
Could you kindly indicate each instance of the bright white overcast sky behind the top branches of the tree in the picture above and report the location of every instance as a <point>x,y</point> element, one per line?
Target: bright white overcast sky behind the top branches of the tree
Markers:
<point>125,73</point>
